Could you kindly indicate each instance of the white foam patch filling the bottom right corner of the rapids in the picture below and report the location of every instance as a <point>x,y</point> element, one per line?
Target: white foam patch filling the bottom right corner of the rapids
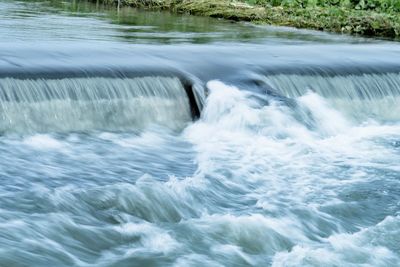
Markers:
<point>367,247</point>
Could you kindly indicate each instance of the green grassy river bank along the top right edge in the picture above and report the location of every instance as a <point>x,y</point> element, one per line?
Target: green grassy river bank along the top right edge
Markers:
<point>379,18</point>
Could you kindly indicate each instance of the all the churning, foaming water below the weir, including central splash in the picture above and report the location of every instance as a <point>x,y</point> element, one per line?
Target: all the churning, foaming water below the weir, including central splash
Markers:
<point>245,185</point>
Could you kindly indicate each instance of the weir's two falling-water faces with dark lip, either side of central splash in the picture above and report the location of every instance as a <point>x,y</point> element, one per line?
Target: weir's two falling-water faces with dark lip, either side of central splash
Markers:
<point>73,102</point>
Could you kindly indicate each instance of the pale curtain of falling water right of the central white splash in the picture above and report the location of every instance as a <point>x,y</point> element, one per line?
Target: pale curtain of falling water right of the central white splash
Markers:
<point>363,96</point>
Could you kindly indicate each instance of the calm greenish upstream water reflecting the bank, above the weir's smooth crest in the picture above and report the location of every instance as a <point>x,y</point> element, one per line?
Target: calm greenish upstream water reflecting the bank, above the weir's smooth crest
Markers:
<point>78,21</point>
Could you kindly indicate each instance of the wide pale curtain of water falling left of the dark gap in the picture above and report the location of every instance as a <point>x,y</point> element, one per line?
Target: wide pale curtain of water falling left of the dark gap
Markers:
<point>92,103</point>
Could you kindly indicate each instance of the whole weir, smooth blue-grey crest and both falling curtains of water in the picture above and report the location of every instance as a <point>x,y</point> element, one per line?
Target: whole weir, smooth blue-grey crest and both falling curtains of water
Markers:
<point>60,91</point>
